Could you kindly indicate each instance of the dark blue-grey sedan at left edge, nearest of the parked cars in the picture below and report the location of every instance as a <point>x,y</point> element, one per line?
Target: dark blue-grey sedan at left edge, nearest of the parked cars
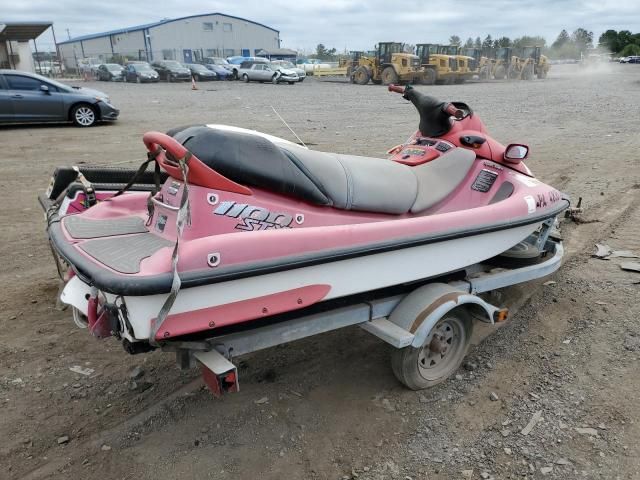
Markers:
<point>28,97</point>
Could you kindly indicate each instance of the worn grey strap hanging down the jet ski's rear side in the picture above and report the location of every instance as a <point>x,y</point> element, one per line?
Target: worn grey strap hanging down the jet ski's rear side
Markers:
<point>183,216</point>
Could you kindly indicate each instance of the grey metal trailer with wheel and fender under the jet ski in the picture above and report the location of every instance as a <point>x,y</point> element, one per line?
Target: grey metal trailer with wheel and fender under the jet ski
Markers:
<point>429,327</point>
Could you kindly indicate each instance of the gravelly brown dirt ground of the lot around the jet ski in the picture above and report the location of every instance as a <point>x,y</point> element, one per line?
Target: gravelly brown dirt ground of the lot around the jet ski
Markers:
<point>329,407</point>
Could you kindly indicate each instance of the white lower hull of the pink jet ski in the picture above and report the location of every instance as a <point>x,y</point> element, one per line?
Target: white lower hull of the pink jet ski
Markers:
<point>346,277</point>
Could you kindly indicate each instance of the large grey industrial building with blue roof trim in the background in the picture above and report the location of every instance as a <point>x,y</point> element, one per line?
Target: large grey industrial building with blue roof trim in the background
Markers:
<point>186,39</point>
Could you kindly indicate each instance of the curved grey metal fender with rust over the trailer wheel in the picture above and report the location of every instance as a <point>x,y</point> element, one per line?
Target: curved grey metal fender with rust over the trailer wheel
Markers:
<point>419,311</point>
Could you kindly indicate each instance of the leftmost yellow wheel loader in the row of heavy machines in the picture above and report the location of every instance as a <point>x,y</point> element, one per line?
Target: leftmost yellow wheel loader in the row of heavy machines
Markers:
<point>389,65</point>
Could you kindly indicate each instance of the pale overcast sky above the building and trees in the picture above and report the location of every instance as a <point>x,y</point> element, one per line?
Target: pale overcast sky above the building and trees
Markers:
<point>343,24</point>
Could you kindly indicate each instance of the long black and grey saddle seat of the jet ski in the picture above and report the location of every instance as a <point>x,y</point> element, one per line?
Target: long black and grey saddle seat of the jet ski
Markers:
<point>347,182</point>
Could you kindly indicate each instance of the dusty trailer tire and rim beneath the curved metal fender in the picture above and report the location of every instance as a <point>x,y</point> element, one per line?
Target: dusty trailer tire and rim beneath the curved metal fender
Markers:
<point>439,357</point>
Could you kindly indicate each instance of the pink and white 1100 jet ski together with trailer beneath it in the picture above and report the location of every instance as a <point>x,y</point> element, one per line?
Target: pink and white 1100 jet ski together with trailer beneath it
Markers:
<point>237,231</point>
